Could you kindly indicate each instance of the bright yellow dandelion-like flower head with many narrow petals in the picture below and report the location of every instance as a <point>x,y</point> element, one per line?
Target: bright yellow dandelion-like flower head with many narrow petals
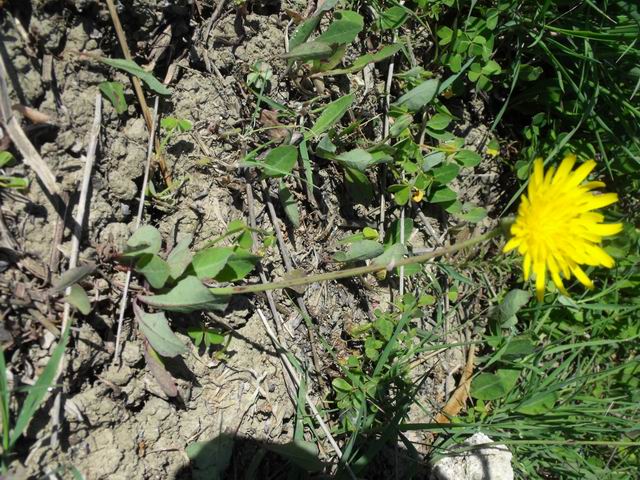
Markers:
<point>556,229</point>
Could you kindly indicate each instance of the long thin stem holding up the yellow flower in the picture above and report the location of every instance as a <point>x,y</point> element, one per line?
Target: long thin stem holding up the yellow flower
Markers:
<point>357,271</point>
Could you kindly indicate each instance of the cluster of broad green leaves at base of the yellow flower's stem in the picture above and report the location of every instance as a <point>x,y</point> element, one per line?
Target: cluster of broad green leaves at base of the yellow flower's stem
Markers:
<point>176,283</point>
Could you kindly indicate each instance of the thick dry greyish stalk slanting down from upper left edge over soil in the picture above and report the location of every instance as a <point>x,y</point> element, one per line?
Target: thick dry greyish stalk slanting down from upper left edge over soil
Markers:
<point>30,155</point>
